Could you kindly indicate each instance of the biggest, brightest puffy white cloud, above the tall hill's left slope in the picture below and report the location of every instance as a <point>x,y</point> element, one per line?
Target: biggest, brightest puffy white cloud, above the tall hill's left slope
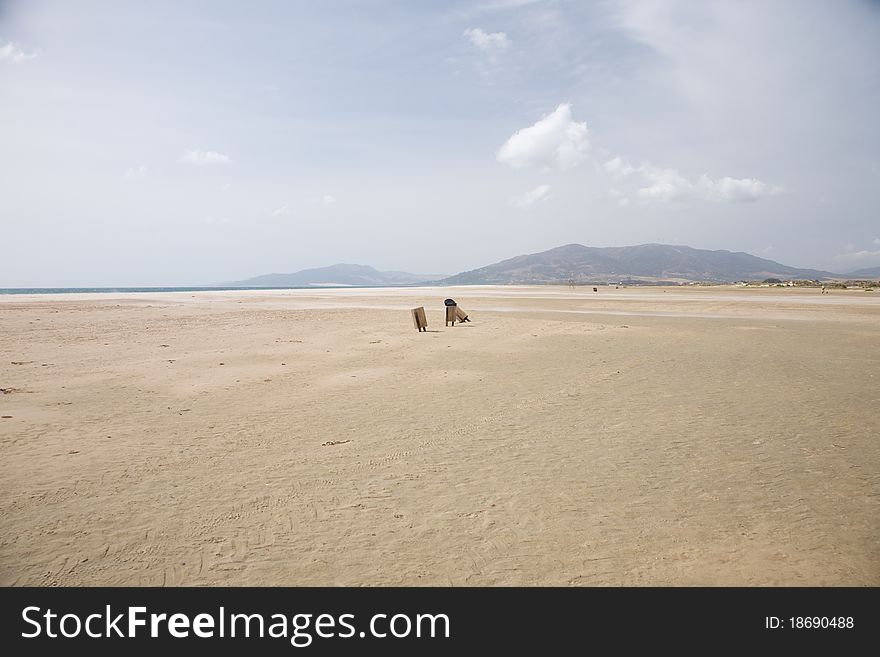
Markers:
<point>553,141</point>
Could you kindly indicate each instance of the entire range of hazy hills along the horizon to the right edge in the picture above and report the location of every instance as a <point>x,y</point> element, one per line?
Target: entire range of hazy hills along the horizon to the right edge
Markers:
<point>644,263</point>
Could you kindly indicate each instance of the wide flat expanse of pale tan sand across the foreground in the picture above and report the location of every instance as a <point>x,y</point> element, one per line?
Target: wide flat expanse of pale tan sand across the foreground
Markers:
<point>688,436</point>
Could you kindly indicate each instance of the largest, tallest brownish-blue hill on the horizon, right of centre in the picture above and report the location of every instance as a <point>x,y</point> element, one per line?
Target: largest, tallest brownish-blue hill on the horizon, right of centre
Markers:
<point>646,262</point>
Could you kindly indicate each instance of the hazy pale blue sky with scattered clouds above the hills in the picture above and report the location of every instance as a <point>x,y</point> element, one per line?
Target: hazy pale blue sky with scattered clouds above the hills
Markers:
<point>188,143</point>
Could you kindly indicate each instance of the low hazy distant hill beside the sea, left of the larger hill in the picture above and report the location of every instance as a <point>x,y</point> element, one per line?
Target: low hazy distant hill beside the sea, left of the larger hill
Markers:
<point>341,274</point>
